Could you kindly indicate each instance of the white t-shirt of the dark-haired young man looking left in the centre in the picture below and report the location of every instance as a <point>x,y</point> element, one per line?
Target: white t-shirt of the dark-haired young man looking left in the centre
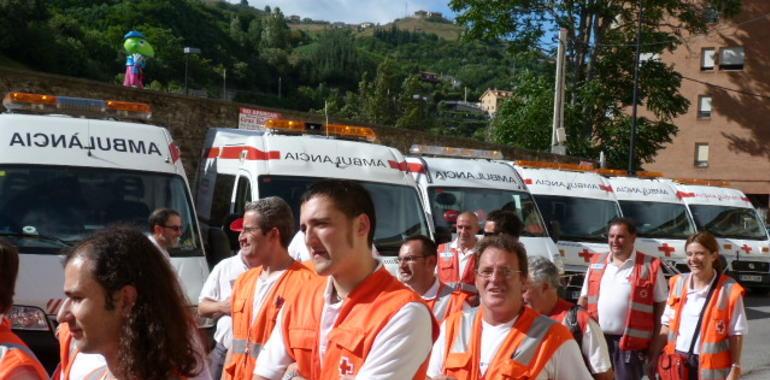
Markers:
<point>398,351</point>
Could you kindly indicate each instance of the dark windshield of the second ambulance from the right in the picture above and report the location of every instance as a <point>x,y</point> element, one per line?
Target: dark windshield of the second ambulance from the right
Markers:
<point>658,219</point>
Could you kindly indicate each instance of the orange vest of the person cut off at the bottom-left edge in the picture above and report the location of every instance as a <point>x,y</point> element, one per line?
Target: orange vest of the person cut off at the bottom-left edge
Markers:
<point>18,354</point>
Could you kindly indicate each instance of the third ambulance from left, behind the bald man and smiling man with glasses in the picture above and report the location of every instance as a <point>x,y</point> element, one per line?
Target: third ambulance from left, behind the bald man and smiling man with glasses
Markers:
<point>454,180</point>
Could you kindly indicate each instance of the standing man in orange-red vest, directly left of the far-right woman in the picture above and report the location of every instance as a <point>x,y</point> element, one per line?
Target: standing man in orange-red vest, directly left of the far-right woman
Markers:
<point>625,292</point>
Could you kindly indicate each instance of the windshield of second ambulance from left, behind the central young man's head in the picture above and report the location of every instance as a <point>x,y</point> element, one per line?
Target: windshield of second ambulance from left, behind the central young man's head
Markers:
<point>398,210</point>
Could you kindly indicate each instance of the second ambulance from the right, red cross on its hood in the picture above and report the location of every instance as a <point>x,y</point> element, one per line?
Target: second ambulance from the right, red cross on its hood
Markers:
<point>662,219</point>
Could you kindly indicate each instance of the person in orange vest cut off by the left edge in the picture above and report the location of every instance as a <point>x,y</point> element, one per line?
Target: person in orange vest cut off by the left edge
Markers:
<point>16,359</point>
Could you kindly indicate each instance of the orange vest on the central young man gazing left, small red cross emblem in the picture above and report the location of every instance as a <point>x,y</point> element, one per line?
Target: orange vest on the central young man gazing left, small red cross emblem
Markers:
<point>365,312</point>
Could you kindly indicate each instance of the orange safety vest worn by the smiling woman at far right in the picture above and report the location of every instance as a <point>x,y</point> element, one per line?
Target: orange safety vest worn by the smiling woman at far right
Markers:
<point>715,360</point>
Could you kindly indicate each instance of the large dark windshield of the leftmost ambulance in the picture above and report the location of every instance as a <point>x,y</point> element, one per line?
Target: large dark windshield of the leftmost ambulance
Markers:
<point>45,208</point>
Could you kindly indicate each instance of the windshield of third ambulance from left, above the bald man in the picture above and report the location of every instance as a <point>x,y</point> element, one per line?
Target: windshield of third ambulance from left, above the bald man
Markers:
<point>447,203</point>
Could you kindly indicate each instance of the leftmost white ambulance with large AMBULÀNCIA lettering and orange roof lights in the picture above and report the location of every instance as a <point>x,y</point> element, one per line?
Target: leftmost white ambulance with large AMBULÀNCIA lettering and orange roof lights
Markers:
<point>68,168</point>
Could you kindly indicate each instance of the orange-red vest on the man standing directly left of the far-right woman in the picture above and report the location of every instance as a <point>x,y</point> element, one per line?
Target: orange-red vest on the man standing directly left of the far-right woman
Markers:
<point>640,323</point>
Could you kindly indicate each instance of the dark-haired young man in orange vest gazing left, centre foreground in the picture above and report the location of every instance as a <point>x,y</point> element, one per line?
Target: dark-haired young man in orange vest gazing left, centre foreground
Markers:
<point>359,321</point>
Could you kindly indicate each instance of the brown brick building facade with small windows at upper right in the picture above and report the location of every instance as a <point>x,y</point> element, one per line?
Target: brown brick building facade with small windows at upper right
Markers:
<point>725,135</point>
